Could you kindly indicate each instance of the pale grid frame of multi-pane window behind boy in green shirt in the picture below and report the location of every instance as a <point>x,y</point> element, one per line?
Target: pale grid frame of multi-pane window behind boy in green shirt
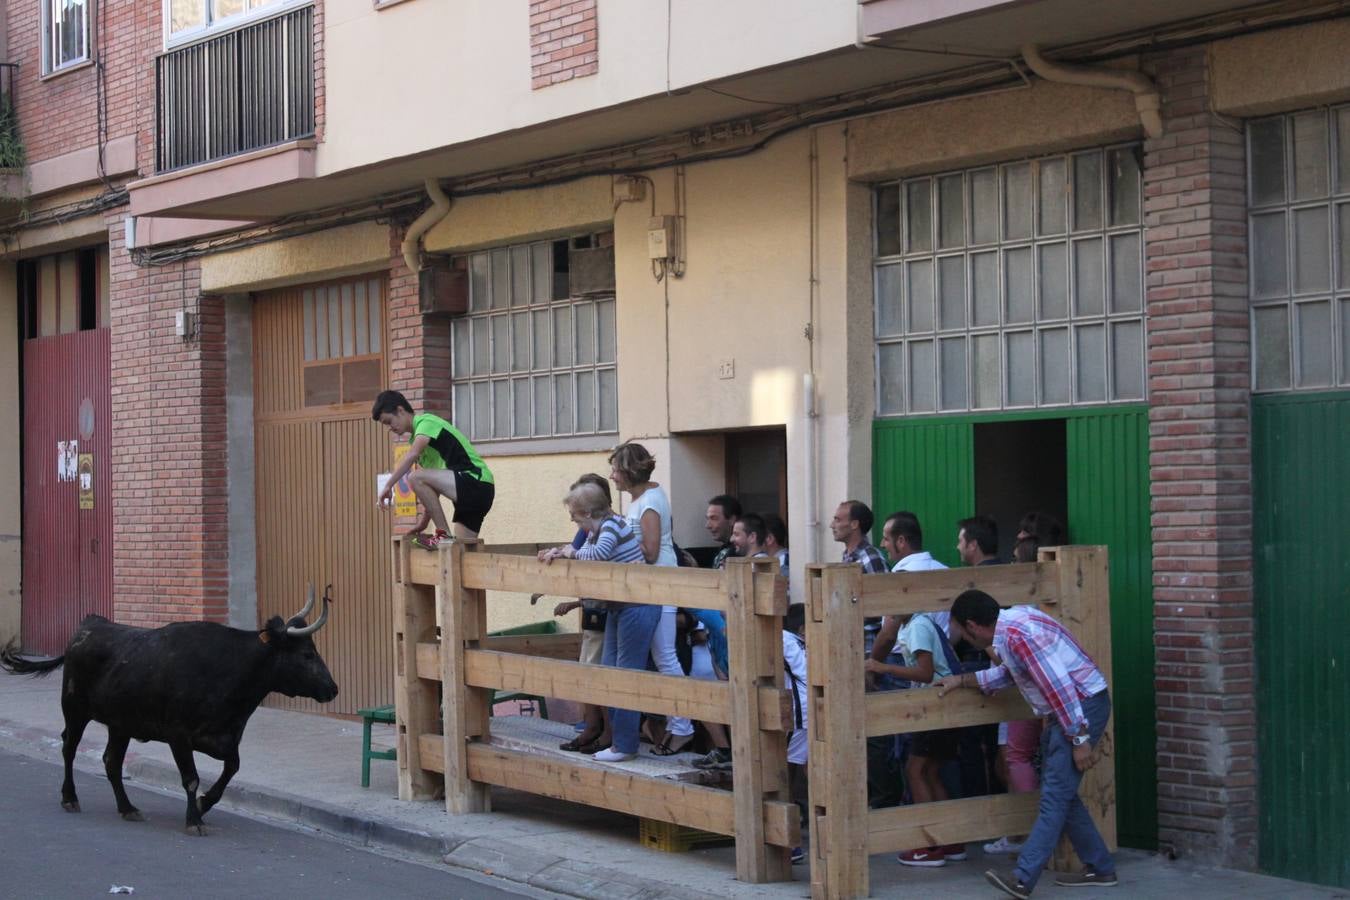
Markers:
<point>476,353</point>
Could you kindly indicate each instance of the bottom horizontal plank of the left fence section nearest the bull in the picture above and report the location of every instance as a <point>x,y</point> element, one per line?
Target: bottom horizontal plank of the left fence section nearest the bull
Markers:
<point>611,787</point>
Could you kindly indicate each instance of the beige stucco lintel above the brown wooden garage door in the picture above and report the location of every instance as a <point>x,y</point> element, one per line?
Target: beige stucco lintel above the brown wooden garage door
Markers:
<point>329,254</point>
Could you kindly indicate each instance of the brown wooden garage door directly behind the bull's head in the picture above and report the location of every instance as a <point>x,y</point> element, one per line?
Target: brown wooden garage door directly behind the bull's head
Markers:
<point>319,361</point>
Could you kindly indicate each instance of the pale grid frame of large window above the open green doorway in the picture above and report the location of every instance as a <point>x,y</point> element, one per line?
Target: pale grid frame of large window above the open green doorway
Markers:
<point>1071,323</point>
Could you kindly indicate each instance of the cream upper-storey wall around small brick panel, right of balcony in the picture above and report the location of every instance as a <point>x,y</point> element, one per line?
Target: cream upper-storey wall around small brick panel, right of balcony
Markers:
<point>449,52</point>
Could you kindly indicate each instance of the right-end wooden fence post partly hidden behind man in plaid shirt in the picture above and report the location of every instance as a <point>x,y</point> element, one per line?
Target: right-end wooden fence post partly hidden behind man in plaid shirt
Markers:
<point>1086,612</point>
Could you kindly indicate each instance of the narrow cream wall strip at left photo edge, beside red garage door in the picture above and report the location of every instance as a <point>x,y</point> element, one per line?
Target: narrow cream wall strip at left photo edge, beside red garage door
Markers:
<point>11,486</point>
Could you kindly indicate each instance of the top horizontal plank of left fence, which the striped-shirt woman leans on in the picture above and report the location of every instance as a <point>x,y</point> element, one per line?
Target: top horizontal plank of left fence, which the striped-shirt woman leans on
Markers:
<point>628,582</point>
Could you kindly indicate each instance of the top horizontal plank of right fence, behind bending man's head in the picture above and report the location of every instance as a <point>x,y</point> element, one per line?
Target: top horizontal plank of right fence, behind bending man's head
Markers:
<point>1013,585</point>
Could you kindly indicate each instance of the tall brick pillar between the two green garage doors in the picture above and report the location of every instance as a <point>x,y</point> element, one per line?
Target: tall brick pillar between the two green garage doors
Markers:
<point>1201,470</point>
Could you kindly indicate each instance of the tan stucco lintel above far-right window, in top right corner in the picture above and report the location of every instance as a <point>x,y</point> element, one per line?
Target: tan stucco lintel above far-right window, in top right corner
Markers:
<point>1312,69</point>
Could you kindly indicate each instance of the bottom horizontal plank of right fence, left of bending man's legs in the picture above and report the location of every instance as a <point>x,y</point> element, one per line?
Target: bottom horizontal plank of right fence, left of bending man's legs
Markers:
<point>925,825</point>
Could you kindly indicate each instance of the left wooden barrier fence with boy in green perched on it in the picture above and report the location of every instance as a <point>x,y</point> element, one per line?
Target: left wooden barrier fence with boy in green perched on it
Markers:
<point>445,747</point>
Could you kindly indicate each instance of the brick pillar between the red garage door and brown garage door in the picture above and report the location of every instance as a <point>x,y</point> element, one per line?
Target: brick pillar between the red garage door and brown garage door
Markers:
<point>171,513</point>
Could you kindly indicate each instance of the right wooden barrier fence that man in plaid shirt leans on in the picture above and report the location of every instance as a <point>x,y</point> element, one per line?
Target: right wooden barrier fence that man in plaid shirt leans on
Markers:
<point>1067,582</point>
